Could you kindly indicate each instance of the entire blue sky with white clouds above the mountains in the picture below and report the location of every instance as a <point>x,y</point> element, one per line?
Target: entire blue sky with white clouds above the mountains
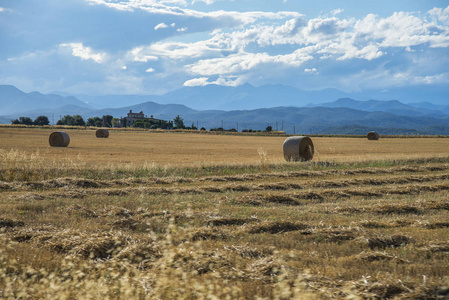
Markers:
<point>102,47</point>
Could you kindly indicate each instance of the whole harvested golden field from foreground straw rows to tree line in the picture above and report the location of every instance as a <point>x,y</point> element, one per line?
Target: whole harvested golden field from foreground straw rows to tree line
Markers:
<point>151,215</point>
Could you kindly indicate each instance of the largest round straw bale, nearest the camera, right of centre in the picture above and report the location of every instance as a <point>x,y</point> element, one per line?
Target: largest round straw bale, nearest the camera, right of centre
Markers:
<point>298,148</point>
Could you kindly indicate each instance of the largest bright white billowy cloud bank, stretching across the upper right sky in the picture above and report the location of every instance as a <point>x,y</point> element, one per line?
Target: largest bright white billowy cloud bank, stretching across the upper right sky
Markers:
<point>227,54</point>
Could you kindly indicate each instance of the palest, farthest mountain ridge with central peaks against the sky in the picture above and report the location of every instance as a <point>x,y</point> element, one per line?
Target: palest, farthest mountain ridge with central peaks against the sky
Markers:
<point>215,97</point>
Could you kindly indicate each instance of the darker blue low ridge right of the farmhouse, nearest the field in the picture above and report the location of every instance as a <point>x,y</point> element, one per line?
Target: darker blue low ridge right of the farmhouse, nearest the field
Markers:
<point>313,120</point>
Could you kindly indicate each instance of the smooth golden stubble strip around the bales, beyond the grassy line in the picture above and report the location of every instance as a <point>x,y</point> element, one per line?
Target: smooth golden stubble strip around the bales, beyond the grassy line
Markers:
<point>124,148</point>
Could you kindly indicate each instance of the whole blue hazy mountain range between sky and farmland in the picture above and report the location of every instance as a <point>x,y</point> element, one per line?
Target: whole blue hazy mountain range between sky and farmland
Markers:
<point>342,116</point>
